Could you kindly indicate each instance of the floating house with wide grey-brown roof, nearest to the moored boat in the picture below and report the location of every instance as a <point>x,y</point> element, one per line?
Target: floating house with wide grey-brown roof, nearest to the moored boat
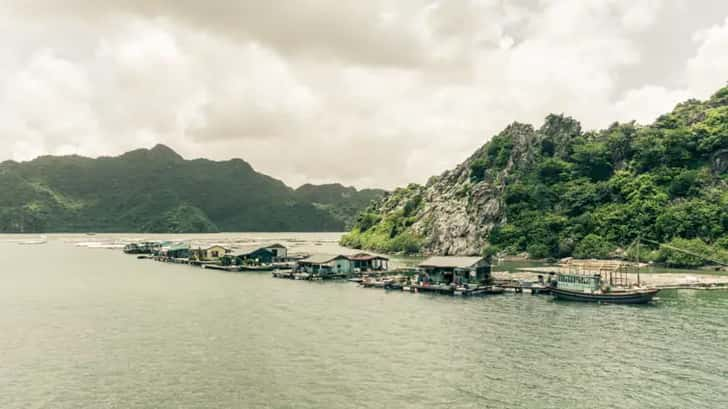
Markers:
<point>454,269</point>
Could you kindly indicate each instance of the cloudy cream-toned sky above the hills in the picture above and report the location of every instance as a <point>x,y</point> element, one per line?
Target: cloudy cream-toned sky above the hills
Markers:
<point>366,93</point>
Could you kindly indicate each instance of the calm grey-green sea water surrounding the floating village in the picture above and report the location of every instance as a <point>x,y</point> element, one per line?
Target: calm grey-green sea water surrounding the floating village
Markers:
<point>93,328</point>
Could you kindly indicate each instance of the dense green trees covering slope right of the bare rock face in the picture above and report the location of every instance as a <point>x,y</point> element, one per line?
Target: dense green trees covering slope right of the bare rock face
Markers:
<point>606,188</point>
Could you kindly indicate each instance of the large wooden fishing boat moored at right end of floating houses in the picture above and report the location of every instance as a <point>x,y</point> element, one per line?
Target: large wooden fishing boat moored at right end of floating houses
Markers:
<point>601,281</point>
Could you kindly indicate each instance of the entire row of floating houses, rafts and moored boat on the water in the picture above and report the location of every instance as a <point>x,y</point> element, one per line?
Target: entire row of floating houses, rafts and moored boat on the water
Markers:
<point>599,281</point>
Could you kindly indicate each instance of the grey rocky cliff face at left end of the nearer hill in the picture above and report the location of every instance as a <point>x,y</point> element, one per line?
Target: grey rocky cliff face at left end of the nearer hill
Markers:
<point>454,213</point>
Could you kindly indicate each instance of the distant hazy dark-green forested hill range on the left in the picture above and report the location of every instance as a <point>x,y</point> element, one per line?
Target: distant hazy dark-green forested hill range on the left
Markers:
<point>156,190</point>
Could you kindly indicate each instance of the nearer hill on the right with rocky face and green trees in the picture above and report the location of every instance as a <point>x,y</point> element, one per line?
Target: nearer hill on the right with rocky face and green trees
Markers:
<point>559,191</point>
